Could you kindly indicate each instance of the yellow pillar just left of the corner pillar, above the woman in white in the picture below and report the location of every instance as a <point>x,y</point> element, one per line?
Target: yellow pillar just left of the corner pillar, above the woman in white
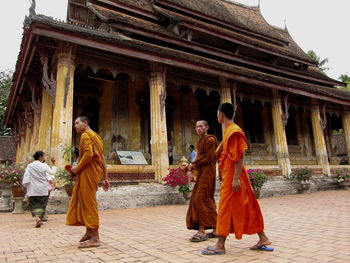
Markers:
<point>44,137</point>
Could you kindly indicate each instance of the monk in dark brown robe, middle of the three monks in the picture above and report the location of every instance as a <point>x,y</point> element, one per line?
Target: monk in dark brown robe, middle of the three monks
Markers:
<point>201,213</point>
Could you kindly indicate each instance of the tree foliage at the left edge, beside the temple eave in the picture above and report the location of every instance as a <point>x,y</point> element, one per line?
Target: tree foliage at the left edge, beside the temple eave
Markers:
<point>5,86</point>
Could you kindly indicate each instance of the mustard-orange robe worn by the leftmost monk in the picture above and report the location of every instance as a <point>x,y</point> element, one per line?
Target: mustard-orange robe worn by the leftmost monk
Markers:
<point>82,209</point>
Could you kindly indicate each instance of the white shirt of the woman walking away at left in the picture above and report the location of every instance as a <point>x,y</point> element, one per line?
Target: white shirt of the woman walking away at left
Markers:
<point>36,178</point>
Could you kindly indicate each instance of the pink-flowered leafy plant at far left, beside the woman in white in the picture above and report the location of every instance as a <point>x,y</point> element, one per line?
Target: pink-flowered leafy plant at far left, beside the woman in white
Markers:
<point>11,174</point>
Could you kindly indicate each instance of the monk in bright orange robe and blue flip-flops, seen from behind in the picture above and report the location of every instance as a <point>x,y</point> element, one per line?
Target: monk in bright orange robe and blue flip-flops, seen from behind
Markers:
<point>239,211</point>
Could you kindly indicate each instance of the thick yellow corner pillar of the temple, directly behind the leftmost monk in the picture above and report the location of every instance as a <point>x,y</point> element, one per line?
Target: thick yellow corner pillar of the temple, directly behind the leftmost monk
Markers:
<point>62,119</point>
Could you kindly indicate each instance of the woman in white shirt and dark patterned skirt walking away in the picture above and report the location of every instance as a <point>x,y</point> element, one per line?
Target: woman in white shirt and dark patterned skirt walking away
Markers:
<point>36,178</point>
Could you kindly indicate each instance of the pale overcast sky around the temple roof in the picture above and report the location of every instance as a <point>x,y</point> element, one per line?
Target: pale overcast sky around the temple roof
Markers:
<point>321,25</point>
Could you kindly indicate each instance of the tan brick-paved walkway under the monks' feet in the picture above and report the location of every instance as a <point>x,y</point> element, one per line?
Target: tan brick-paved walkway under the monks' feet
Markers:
<point>304,228</point>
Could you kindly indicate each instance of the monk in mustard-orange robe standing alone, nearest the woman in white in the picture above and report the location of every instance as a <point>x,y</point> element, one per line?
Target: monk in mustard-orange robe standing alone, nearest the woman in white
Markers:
<point>90,170</point>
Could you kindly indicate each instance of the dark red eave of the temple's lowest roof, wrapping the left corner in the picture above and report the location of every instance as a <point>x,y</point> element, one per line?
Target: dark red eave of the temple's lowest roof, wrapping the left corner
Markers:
<point>119,44</point>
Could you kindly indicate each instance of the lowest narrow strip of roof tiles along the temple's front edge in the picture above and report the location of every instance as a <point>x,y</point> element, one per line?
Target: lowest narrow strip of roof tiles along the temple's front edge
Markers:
<point>177,54</point>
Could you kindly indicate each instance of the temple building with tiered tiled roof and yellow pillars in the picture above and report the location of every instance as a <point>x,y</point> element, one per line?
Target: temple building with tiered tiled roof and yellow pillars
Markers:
<point>144,71</point>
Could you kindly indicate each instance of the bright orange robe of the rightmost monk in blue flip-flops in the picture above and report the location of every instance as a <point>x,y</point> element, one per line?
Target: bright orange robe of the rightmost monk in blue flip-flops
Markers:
<point>238,212</point>
